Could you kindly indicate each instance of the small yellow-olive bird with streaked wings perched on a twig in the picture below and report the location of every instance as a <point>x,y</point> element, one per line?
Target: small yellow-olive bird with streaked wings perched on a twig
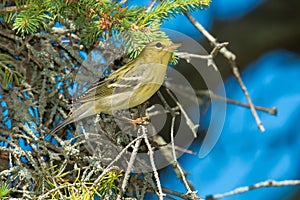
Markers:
<point>127,87</point>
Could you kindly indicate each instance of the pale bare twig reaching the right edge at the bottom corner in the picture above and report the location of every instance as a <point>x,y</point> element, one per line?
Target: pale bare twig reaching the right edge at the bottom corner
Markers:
<point>268,183</point>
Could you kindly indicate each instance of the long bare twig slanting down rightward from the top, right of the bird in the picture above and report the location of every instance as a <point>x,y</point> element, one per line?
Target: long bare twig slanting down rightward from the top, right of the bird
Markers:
<point>232,61</point>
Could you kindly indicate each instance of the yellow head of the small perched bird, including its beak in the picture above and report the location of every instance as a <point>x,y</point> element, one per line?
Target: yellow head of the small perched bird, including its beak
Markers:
<point>159,51</point>
